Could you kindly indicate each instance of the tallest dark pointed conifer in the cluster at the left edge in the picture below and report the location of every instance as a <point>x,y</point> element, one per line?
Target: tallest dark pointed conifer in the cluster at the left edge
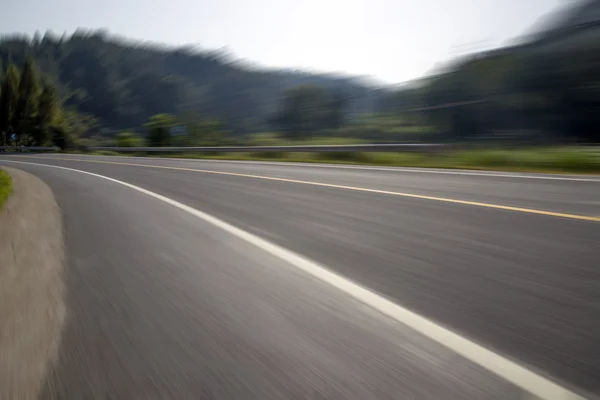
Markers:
<point>27,104</point>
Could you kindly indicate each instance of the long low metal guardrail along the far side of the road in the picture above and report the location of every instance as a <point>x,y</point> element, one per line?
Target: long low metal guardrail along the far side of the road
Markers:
<point>391,147</point>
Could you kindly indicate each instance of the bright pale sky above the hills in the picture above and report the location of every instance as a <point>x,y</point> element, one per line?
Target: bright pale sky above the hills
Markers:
<point>391,40</point>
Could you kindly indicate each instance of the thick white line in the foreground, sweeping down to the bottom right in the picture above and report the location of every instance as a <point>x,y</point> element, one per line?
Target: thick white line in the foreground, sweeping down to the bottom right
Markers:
<point>518,375</point>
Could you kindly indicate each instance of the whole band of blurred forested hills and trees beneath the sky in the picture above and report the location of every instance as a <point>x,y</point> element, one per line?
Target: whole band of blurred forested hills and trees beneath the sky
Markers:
<point>96,88</point>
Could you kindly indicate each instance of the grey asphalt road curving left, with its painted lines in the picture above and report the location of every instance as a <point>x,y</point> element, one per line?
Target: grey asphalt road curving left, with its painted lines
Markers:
<point>168,298</point>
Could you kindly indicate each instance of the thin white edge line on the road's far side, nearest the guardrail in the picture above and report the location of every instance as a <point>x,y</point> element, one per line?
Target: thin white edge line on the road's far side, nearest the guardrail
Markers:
<point>490,174</point>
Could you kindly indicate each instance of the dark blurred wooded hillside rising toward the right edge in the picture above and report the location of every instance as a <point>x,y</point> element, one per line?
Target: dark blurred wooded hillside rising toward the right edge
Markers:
<point>546,89</point>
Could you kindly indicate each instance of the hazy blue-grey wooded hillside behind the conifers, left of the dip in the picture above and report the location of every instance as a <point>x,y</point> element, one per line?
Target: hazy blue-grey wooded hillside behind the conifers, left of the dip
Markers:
<point>122,82</point>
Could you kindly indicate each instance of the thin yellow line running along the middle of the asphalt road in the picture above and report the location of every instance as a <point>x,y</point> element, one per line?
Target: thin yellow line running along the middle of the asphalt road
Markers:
<point>359,189</point>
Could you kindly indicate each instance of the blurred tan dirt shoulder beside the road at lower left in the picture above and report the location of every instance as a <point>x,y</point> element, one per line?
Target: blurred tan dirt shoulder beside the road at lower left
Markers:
<point>32,310</point>
